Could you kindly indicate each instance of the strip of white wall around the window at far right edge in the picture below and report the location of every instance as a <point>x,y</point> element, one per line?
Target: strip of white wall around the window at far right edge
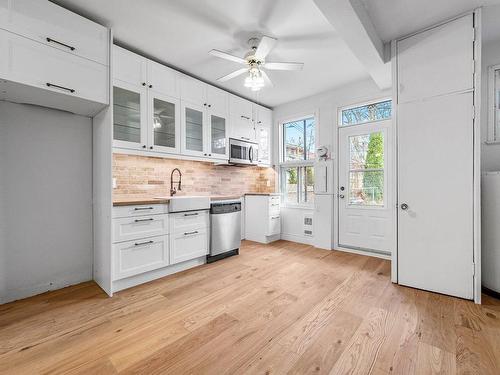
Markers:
<point>490,154</point>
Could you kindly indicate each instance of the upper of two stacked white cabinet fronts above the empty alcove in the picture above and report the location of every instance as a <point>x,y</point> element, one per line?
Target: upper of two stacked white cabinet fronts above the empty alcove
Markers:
<point>48,23</point>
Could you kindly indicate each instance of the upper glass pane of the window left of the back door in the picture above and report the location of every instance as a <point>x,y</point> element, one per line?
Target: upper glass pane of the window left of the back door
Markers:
<point>299,140</point>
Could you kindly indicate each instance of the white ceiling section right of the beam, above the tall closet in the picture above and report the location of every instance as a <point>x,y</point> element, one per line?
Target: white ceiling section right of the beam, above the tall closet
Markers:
<point>396,18</point>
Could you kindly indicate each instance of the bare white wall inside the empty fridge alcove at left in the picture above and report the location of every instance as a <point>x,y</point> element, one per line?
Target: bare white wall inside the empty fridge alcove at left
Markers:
<point>45,200</point>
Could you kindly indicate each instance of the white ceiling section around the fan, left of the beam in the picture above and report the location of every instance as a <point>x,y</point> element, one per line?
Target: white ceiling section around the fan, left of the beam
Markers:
<point>181,32</point>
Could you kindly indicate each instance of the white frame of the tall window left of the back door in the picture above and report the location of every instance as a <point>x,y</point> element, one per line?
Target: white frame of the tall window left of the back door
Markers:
<point>283,165</point>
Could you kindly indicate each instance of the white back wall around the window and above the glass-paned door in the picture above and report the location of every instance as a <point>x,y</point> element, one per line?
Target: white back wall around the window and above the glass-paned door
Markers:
<point>326,106</point>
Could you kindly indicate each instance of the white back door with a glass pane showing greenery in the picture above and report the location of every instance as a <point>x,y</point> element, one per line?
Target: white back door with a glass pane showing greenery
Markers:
<point>365,196</point>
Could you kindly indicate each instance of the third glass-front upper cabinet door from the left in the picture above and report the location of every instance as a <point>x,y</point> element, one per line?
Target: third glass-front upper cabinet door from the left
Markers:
<point>193,130</point>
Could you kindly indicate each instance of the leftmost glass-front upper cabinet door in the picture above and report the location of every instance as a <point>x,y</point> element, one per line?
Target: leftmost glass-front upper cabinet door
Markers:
<point>129,114</point>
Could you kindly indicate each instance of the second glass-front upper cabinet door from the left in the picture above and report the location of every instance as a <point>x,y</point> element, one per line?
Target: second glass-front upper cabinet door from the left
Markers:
<point>164,128</point>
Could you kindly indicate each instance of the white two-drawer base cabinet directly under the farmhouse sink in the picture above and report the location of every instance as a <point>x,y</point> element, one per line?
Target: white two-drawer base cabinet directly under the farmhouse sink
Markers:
<point>189,235</point>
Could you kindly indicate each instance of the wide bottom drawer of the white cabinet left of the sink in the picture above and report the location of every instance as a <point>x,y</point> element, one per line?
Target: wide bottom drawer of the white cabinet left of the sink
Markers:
<point>135,257</point>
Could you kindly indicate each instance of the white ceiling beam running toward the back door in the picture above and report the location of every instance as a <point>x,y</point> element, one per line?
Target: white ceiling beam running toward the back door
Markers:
<point>353,25</point>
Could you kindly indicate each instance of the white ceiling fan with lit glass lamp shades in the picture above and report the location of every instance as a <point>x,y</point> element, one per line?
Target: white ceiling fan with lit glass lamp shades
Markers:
<point>255,61</point>
